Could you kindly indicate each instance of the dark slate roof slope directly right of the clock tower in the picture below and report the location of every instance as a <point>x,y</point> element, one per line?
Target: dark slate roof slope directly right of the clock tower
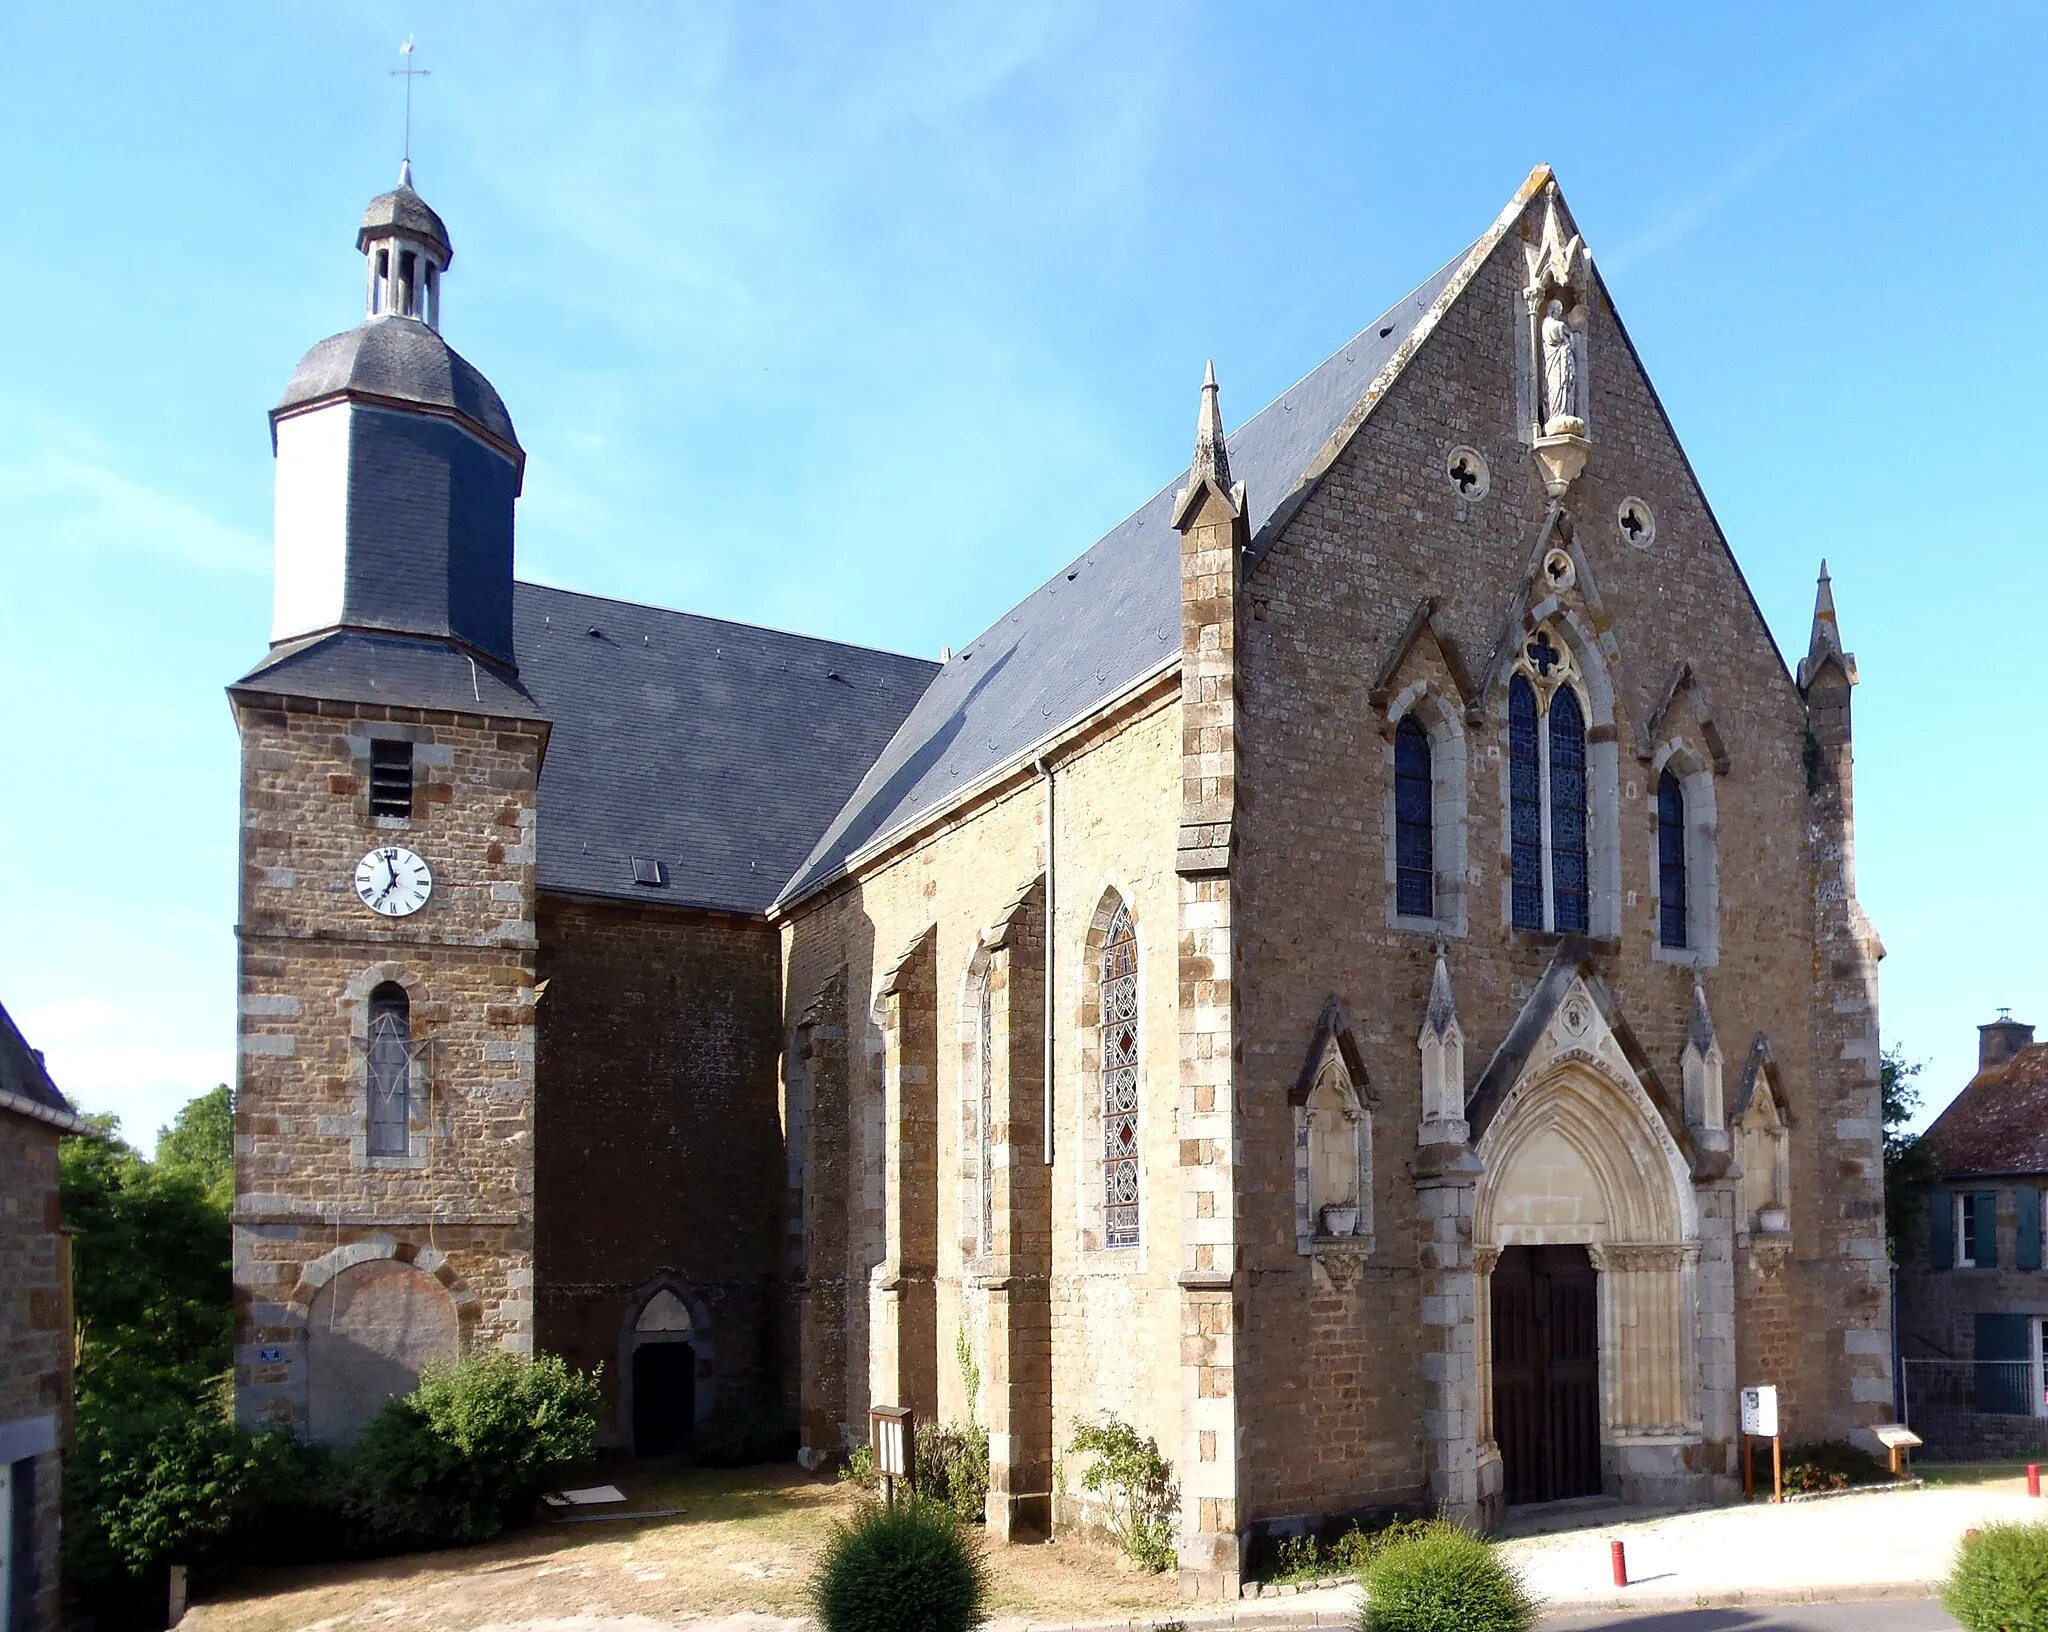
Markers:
<point>718,748</point>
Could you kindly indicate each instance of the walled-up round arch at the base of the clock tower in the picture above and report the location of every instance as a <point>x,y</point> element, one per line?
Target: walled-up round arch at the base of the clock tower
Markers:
<point>370,1336</point>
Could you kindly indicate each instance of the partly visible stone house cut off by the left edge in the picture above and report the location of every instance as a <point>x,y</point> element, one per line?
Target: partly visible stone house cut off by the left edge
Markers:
<point>36,1332</point>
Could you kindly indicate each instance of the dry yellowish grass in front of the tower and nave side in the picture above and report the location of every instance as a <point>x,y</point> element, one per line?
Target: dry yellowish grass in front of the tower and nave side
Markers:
<point>744,1543</point>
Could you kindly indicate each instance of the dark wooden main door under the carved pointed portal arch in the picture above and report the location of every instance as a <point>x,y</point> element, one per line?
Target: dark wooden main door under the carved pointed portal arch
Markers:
<point>1547,1373</point>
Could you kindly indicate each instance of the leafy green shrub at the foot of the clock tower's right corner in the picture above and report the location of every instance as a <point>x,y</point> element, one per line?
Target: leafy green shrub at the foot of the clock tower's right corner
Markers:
<point>470,1451</point>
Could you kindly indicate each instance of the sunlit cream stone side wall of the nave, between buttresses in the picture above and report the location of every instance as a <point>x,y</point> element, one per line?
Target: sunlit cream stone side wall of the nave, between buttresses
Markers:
<point>1115,1316</point>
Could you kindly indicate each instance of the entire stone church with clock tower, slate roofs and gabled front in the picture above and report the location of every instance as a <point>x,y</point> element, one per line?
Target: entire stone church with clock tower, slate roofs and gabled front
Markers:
<point>1359,976</point>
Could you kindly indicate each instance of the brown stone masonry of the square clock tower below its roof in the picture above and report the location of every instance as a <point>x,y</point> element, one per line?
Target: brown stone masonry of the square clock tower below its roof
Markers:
<point>310,1201</point>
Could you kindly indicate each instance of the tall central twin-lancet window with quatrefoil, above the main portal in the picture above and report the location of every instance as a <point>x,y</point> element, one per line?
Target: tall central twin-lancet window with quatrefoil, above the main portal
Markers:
<point>1547,791</point>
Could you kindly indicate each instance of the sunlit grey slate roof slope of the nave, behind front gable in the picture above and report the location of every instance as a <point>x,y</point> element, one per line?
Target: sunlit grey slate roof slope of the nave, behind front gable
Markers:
<point>1095,630</point>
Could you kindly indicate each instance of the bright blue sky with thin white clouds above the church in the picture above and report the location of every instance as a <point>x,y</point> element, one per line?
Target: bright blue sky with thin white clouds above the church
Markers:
<point>861,320</point>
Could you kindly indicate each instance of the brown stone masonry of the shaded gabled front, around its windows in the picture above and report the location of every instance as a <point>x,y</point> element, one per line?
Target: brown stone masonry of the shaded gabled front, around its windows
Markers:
<point>1330,1363</point>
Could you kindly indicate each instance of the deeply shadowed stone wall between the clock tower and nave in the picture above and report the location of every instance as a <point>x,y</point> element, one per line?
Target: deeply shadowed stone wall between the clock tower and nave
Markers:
<point>658,1142</point>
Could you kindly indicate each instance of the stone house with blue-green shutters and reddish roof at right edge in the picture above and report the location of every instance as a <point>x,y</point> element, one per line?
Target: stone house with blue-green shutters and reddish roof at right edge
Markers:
<point>1973,1293</point>
